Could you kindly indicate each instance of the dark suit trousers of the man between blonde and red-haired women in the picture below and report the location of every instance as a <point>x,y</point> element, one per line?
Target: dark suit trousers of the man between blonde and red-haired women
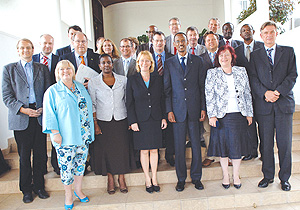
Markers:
<point>180,129</point>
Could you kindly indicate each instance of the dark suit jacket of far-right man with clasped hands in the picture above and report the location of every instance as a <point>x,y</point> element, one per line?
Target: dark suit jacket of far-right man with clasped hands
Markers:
<point>281,77</point>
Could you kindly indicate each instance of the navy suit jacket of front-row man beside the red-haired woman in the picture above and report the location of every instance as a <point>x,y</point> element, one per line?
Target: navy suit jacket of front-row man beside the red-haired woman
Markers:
<point>184,91</point>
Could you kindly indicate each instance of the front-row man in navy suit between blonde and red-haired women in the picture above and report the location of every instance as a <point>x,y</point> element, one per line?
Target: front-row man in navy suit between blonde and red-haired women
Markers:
<point>185,106</point>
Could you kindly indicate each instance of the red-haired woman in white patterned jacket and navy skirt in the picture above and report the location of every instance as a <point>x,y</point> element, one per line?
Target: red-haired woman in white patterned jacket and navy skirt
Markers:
<point>229,109</point>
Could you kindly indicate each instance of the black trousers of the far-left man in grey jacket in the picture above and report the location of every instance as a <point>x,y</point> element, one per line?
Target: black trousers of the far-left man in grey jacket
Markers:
<point>29,139</point>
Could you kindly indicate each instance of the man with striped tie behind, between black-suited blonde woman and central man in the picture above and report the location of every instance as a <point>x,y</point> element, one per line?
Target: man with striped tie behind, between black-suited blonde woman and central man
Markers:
<point>159,57</point>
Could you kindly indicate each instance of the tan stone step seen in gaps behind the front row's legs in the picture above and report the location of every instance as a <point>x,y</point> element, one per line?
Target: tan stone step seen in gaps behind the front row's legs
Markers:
<point>166,175</point>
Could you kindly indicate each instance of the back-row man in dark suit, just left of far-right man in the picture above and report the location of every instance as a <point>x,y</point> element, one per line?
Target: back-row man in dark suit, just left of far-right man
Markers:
<point>243,59</point>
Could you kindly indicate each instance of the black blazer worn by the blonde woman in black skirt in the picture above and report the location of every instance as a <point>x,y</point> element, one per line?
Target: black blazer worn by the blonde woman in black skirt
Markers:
<point>142,102</point>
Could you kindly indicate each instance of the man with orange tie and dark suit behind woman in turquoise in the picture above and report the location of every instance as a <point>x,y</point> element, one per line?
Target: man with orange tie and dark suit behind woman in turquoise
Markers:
<point>81,54</point>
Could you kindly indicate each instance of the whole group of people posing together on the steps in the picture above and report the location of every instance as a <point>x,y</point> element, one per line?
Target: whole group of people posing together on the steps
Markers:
<point>154,94</point>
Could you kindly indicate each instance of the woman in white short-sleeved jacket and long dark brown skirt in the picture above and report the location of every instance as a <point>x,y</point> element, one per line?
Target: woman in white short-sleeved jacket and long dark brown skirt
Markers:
<point>110,152</point>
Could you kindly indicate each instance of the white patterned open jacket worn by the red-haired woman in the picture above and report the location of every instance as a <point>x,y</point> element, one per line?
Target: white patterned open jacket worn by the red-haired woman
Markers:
<point>217,92</point>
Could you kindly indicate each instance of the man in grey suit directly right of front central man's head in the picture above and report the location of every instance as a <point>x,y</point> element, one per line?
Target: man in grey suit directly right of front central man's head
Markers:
<point>193,47</point>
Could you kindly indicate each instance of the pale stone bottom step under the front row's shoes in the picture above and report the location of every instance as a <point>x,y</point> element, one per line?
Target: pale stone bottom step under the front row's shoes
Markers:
<point>214,196</point>
